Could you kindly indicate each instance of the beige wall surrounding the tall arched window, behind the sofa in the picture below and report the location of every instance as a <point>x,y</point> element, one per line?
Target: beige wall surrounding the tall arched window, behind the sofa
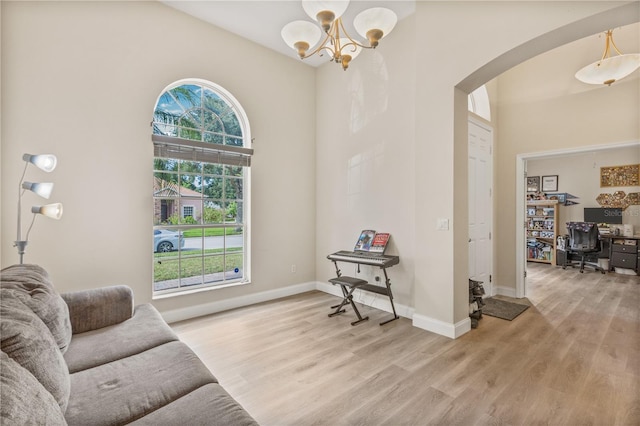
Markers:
<point>81,79</point>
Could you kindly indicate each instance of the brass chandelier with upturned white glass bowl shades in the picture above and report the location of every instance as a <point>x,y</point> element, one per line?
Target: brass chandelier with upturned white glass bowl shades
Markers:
<point>372,24</point>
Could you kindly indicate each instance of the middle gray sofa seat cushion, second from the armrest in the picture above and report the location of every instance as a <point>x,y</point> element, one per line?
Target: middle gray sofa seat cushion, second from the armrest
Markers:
<point>127,389</point>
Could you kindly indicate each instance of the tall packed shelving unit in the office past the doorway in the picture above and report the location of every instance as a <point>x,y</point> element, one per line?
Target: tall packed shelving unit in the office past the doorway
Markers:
<point>542,231</point>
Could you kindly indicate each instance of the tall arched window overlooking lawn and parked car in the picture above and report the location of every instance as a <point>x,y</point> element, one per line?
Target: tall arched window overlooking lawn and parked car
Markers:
<point>202,157</point>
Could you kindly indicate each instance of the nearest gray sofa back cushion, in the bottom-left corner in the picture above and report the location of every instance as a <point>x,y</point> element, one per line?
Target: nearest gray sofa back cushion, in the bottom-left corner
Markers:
<point>24,399</point>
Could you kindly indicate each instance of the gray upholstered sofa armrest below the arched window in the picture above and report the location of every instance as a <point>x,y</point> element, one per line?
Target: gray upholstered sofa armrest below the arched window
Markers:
<point>100,307</point>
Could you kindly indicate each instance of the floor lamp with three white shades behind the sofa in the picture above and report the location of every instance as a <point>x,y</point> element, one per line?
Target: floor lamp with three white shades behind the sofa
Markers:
<point>47,163</point>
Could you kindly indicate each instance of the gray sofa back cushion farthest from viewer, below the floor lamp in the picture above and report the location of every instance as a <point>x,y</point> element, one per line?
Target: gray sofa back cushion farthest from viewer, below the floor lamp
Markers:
<point>33,286</point>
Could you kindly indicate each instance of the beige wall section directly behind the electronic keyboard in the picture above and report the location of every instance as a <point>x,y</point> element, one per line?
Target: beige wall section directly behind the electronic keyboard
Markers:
<point>365,157</point>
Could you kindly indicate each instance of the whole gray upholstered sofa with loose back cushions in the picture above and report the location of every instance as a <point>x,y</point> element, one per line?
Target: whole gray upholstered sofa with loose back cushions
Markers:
<point>92,358</point>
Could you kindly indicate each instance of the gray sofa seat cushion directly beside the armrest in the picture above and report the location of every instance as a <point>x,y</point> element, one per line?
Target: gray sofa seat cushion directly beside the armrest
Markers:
<point>146,329</point>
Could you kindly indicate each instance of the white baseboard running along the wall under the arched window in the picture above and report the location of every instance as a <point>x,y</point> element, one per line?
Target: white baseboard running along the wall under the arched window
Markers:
<point>235,302</point>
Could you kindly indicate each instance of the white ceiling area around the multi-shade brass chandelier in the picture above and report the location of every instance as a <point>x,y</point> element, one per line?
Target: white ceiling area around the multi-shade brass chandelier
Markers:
<point>262,20</point>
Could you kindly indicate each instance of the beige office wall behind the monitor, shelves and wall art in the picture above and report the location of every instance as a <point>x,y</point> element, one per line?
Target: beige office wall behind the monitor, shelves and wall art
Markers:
<point>579,175</point>
